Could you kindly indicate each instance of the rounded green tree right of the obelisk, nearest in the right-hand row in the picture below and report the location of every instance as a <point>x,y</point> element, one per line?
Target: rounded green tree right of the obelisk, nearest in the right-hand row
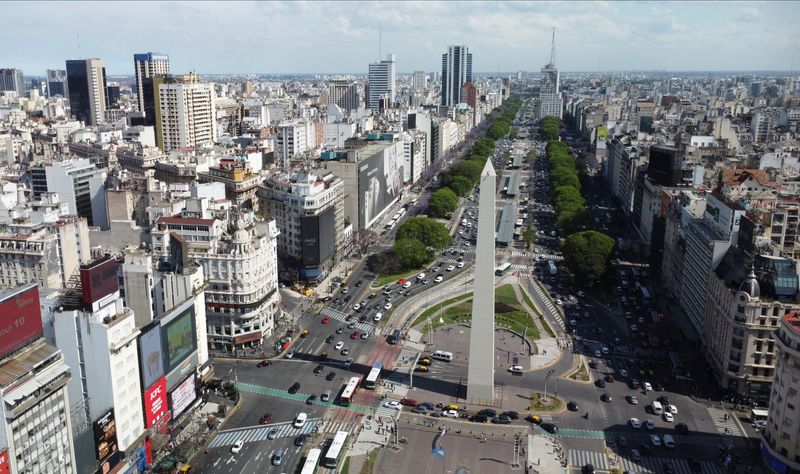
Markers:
<point>587,255</point>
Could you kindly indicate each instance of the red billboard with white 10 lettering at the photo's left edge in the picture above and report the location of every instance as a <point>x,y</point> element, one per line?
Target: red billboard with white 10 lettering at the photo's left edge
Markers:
<point>20,318</point>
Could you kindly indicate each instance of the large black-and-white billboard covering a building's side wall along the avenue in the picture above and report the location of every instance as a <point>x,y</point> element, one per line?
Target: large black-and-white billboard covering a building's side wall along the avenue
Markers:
<point>380,181</point>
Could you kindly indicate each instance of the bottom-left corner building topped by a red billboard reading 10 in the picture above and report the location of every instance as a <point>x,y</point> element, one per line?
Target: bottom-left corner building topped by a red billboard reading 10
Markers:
<point>35,414</point>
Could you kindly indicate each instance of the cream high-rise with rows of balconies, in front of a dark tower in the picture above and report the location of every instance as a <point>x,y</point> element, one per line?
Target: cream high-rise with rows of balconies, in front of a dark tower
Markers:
<point>185,114</point>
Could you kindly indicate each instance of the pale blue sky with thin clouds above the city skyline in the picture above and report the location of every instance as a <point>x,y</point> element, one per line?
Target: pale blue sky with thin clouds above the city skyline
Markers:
<point>342,37</point>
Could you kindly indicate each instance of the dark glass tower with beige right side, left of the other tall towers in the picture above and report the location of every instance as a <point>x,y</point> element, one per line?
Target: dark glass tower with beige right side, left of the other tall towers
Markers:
<point>86,82</point>
